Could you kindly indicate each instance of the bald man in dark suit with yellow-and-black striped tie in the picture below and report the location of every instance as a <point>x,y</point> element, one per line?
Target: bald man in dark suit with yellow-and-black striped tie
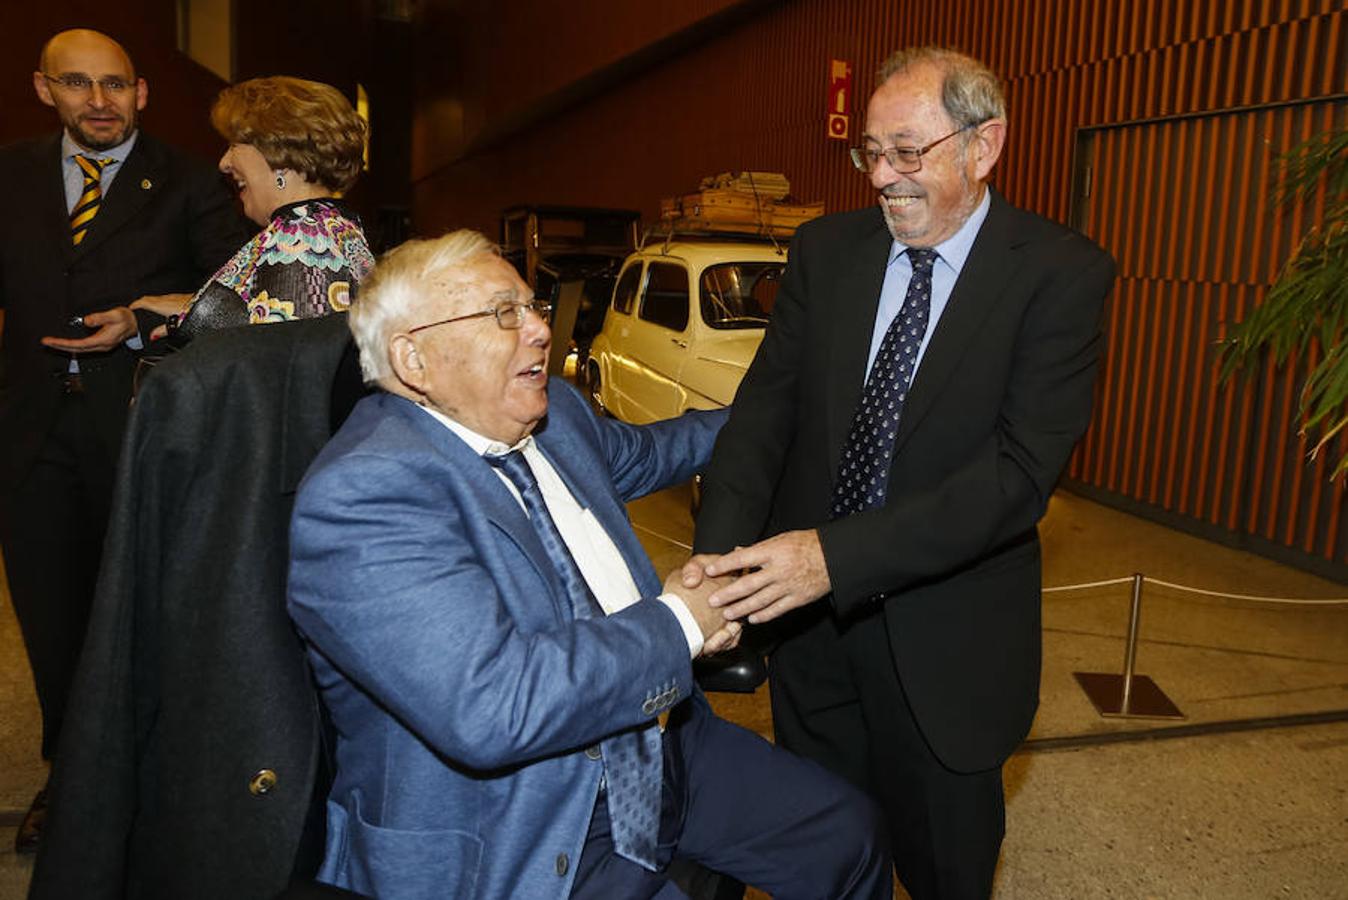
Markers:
<point>98,216</point>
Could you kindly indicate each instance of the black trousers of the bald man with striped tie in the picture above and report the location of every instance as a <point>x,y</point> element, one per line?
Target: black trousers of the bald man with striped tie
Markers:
<point>52,533</point>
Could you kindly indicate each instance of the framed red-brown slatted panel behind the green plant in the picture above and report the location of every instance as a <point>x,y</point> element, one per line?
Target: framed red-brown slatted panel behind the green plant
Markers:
<point>1188,210</point>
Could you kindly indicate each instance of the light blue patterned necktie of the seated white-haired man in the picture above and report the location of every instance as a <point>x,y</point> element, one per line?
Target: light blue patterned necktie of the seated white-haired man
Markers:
<point>634,765</point>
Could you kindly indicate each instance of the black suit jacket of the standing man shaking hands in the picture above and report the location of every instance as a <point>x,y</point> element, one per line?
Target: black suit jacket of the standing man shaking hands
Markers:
<point>1002,395</point>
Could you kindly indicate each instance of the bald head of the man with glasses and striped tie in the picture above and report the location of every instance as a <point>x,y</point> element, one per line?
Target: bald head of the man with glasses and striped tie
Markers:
<point>90,80</point>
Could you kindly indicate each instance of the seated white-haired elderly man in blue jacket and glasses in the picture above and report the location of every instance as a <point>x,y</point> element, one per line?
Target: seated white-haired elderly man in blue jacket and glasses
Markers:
<point>494,646</point>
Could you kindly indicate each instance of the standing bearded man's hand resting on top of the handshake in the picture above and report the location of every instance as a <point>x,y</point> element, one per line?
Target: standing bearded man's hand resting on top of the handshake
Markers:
<point>784,573</point>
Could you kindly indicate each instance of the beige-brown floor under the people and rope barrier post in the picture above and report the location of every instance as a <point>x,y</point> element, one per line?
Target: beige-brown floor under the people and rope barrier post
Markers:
<point>1245,798</point>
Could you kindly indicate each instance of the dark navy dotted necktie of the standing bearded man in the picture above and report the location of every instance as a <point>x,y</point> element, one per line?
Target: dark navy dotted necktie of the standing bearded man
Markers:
<point>865,470</point>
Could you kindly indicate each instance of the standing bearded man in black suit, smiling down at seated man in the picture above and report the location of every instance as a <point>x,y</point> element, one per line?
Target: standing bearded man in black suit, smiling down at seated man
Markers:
<point>896,513</point>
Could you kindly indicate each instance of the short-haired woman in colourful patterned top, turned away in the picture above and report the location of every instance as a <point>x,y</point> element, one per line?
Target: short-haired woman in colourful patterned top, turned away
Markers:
<point>295,149</point>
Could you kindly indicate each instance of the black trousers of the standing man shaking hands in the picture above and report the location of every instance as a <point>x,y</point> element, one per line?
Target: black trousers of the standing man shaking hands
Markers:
<point>838,700</point>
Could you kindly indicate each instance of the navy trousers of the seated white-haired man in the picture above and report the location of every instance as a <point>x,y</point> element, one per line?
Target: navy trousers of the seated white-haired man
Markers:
<point>753,812</point>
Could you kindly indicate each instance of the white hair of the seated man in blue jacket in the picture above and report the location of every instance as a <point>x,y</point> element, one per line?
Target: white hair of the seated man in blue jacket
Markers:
<point>392,294</point>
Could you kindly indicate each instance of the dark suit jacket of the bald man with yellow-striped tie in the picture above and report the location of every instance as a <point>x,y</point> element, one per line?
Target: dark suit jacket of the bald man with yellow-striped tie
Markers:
<point>165,227</point>
